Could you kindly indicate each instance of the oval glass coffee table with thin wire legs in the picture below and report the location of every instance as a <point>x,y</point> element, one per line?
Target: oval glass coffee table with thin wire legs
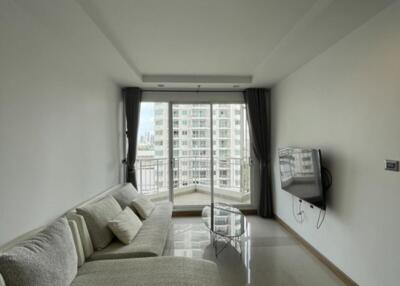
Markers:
<point>226,223</point>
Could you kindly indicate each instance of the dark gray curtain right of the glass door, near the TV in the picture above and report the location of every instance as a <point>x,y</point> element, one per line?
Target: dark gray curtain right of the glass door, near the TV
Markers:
<point>258,116</point>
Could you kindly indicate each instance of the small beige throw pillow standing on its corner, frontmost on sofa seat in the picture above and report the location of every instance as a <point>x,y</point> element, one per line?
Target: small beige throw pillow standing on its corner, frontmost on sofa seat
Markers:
<point>125,225</point>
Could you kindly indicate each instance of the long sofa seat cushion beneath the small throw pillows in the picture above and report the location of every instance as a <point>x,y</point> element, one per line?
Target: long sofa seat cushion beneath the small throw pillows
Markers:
<point>149,241</point>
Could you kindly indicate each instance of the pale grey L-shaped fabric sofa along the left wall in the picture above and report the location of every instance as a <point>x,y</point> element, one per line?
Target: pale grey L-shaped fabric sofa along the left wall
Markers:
<point>46,257</point>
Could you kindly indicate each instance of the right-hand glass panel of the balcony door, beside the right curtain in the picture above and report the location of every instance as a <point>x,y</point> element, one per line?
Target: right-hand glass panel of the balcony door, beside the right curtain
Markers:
<point>231,147</point>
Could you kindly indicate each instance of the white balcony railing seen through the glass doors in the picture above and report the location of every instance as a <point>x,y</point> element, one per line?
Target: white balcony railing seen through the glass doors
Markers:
<point>231,175</point>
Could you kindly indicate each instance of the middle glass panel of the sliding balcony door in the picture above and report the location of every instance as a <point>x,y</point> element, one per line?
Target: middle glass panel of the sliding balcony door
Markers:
<point>191,125</point>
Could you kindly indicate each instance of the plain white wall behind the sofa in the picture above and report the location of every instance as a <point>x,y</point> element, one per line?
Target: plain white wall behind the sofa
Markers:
<point>59,120</point>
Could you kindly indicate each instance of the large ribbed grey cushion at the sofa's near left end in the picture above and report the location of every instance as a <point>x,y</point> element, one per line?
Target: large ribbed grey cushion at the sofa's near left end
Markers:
<point>48,258</point>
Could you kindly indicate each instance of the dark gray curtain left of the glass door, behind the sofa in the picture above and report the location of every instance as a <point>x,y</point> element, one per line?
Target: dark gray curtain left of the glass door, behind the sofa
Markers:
<point>132,97</point>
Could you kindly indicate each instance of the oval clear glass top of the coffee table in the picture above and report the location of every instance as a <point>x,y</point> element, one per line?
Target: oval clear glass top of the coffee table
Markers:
<point>224,220</point>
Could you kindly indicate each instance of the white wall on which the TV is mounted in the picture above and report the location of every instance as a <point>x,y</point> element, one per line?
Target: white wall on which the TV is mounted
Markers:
<point>347,102</point>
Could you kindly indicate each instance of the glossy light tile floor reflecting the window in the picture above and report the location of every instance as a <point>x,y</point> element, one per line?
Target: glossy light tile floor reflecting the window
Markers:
<point>270,256</point>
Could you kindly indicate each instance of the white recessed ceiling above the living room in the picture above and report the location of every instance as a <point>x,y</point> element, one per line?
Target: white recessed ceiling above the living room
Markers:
<point>217,44</point>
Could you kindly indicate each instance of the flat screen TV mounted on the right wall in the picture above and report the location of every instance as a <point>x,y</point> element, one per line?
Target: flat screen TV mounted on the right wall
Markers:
<point>301,174</point>
